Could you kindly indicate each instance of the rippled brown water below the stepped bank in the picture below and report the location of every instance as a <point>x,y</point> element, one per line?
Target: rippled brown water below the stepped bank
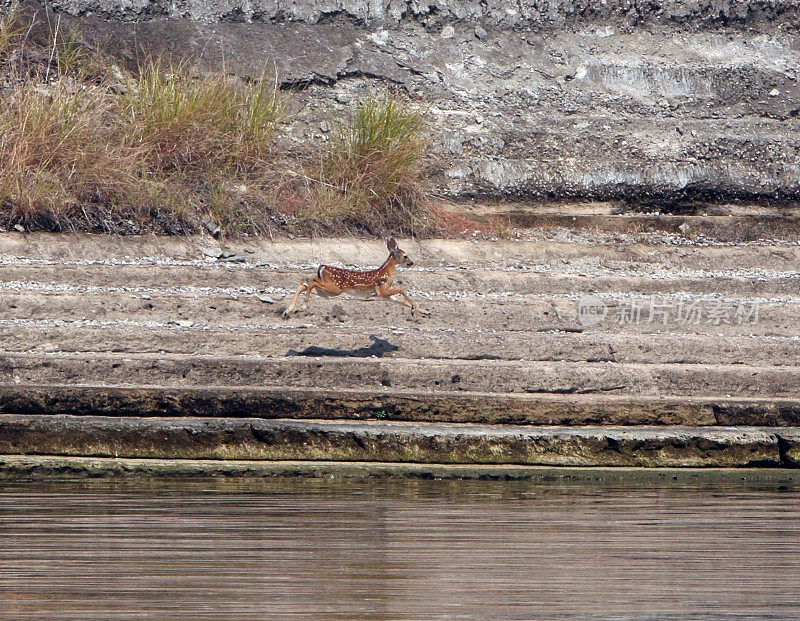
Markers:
<point>372,550</point>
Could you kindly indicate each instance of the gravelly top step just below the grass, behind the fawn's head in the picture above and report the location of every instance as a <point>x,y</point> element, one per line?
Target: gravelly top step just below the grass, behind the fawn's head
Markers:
<point>558,250</point>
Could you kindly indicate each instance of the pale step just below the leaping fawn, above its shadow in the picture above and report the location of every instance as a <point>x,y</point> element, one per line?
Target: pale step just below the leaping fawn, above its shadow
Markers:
<point>664,312</point>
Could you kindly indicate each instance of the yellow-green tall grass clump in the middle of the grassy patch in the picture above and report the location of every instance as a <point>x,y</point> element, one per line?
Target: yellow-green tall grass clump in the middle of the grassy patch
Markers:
<point>206,142</point>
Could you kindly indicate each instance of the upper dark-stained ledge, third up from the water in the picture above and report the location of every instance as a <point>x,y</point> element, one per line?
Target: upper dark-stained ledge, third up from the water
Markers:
<point>399,404</point>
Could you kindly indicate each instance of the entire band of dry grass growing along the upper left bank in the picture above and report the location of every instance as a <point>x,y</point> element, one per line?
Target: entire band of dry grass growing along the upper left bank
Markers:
<point>86,145</point>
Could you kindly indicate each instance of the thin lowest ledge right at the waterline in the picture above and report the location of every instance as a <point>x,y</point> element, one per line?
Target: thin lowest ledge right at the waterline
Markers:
<point>25,467</point>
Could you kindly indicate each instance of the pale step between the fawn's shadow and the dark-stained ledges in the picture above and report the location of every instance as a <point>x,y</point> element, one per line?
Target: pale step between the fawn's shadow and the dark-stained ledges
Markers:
<point>468,376</point>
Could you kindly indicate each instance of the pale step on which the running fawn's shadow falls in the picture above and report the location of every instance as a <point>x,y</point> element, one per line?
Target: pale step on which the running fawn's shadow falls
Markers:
<point>353,339</point>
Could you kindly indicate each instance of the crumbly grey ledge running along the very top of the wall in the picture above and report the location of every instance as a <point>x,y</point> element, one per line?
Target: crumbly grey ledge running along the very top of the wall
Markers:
<point>533,14</point>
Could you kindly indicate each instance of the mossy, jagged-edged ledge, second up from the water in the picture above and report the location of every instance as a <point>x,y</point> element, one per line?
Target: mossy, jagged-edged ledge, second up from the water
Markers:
<point>363,441</point>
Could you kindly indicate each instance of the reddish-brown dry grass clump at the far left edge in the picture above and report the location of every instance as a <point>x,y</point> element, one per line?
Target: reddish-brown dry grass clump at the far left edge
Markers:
<point>58,152</point>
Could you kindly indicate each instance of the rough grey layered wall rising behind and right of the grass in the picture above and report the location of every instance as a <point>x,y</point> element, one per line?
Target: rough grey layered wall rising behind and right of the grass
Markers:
<point>658,101</point>
